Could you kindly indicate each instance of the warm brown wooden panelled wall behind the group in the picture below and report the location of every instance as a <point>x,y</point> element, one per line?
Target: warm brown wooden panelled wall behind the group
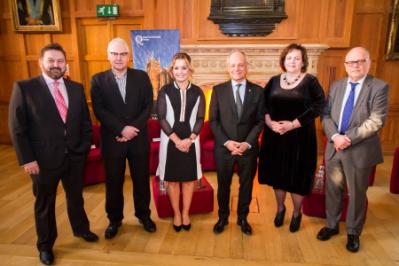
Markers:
<point>338,23</point>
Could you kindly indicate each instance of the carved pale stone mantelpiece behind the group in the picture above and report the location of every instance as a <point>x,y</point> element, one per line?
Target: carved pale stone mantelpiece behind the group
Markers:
<point>209,60</point>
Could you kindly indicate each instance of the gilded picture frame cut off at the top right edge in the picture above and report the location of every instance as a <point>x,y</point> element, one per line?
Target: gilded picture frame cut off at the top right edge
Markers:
<point>393,38</point>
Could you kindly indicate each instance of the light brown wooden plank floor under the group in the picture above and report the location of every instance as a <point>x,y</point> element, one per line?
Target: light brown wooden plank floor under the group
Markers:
<point>133,246</point>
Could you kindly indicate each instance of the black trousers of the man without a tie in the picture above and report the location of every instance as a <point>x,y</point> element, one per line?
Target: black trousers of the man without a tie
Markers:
<point>115,177</point>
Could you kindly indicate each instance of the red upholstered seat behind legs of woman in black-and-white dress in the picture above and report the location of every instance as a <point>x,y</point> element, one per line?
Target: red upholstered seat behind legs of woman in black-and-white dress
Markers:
<point>202,201</point>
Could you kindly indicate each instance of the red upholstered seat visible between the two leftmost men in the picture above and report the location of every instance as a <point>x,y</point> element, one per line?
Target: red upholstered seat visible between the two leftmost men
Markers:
<point>94,169</point>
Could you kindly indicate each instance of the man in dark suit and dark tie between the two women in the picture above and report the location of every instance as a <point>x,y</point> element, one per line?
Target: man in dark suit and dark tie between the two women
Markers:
<point>236,119</point>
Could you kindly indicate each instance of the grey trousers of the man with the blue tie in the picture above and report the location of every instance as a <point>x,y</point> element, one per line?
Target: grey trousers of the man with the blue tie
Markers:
<point>341,173</point>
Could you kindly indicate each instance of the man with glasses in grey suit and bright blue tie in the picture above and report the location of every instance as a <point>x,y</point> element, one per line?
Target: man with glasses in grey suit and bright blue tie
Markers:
<point>355,113</point>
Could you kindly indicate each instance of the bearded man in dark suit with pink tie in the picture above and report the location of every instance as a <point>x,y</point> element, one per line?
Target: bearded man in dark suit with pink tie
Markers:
<point>51,131</point>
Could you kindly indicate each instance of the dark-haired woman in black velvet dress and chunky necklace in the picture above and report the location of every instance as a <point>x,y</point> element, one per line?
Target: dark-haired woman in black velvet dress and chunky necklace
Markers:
<point>288,155</point>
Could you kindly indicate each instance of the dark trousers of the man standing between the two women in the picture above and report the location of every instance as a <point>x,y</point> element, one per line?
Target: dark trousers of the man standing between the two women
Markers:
<point>246,172</point>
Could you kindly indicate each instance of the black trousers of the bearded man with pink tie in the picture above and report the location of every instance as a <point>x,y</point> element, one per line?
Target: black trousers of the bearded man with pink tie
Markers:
<point>45,190</point>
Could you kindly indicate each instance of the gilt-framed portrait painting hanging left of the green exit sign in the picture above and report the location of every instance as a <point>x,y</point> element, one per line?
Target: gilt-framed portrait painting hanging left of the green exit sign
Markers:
<point>36,15</point>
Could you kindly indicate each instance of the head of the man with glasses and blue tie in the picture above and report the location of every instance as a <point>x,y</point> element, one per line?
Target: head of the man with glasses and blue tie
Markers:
<point>357,63</point>
